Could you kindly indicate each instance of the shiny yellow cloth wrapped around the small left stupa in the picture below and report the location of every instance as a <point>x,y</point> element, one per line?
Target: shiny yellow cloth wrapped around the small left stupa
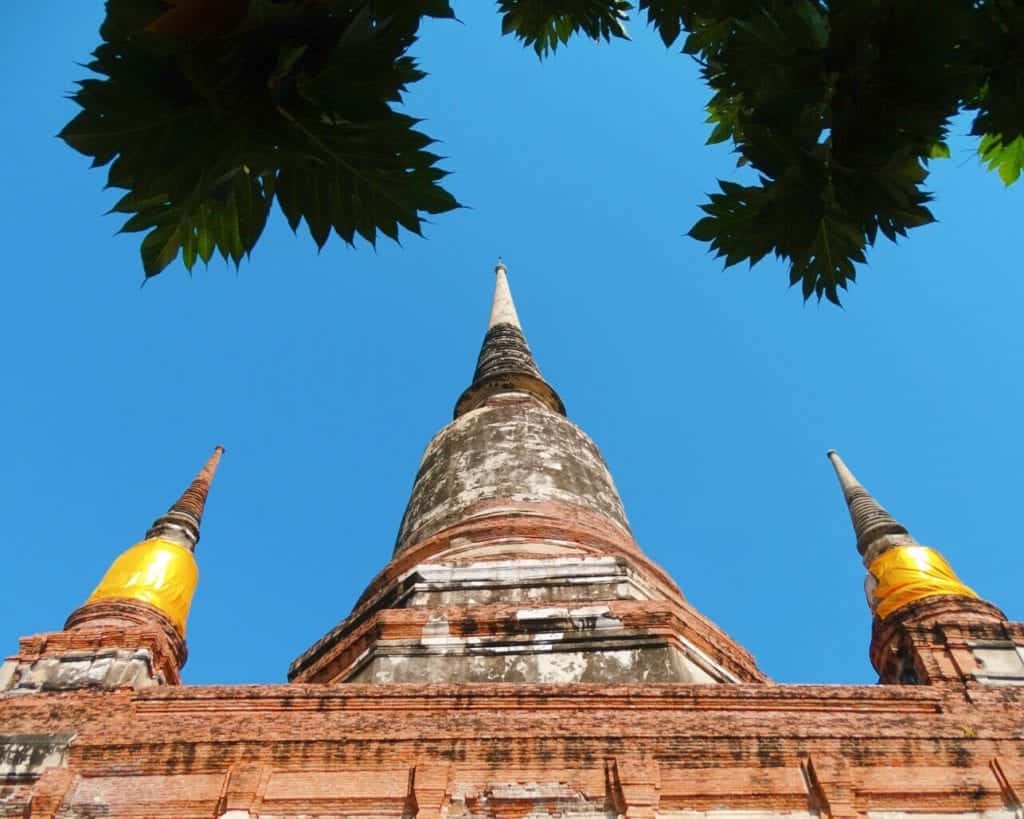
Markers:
<point>155,572</point>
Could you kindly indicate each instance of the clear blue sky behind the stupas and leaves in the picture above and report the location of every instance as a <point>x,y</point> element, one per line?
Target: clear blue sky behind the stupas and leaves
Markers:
<point>713,396</point>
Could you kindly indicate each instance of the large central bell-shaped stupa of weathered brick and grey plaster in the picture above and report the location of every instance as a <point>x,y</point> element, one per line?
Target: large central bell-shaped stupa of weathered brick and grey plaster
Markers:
<point>515,562</point>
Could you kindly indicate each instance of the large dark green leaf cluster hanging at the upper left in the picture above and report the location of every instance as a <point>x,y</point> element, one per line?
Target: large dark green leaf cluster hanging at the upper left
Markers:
<point>208,110</point>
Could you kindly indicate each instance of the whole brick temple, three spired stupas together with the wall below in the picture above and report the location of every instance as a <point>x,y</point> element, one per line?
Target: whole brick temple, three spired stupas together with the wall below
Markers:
<point>519,657</point>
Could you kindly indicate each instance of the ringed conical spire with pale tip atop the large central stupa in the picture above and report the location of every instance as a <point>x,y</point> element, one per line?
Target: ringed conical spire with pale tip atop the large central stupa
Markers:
<point>506,364</point>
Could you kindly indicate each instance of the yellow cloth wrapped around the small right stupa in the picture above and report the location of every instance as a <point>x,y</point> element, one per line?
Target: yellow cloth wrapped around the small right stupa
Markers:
<point>907,574</point>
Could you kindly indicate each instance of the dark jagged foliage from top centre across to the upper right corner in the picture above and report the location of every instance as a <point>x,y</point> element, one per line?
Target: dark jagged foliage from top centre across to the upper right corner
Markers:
<point>839,108</point>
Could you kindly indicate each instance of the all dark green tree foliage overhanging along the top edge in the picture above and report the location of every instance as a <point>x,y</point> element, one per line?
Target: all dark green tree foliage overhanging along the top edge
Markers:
<point>208,110</point>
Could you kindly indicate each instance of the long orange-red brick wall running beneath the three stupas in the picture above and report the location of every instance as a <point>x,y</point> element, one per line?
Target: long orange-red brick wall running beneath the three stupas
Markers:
<point>511,751</point>
